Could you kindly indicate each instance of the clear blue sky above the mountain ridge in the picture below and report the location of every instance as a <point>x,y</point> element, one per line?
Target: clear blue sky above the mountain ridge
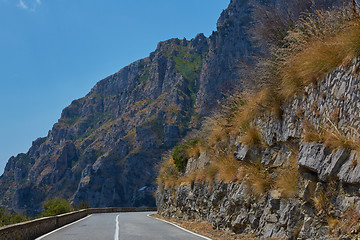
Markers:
<point>54,51</point>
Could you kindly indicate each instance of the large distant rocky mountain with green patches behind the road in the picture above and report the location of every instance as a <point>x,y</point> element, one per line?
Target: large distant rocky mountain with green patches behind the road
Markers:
<point>105,146</point>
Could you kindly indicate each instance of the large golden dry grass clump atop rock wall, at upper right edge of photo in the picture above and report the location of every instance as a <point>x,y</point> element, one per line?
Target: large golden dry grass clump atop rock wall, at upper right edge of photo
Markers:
<point>319,57</point>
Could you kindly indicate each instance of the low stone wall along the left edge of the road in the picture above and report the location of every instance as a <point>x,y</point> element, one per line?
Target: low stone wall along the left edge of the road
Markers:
<point>38,227</point>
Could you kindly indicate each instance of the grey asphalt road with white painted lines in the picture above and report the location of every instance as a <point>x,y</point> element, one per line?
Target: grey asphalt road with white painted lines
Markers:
<point>120,226</point>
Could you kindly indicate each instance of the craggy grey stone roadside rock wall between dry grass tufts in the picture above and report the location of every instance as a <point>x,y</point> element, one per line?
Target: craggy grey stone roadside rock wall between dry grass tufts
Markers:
<point>328,182</point>
